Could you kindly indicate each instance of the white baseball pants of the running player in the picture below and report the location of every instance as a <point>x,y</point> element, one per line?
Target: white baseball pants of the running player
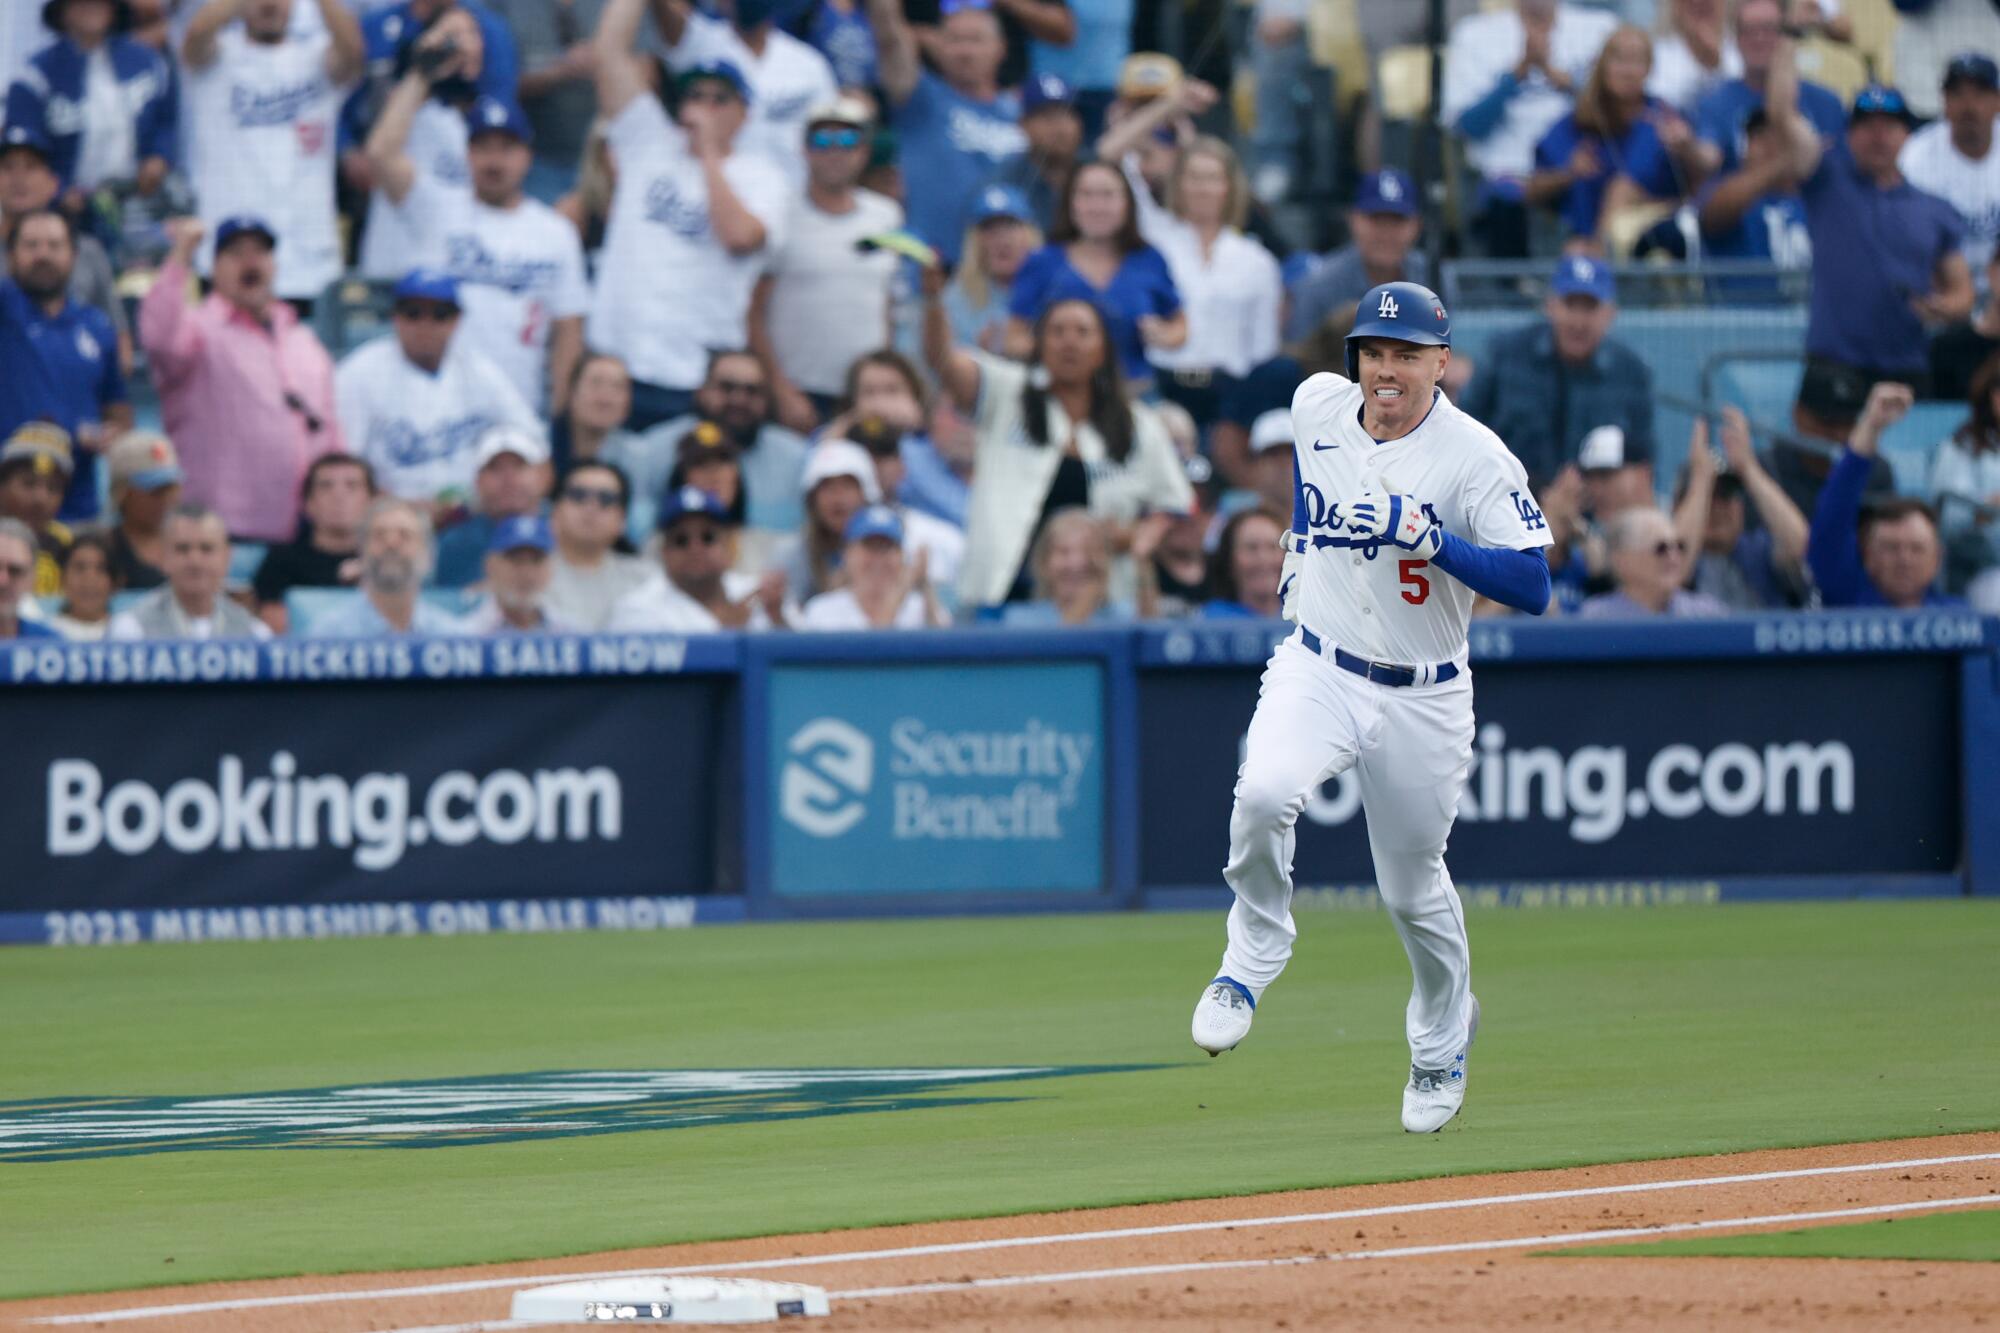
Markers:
<point>1411,750</point>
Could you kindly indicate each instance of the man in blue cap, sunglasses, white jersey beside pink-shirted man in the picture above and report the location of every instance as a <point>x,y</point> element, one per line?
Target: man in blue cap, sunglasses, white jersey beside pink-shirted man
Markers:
<point>417,403</point>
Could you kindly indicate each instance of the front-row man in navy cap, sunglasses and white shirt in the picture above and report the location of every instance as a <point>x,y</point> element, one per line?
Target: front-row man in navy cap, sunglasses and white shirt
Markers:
<point>697,591</point>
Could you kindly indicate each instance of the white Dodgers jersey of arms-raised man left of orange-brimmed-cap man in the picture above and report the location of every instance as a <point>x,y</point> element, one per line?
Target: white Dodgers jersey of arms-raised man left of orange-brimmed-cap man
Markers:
<point>669,291</point>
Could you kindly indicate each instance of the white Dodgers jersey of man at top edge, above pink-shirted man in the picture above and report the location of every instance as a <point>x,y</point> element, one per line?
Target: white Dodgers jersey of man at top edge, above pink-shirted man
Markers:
<point>261,141</point>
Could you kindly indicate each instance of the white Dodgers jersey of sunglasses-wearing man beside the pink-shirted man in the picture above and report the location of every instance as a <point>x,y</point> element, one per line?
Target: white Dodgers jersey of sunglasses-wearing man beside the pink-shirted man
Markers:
<point>421,431</point>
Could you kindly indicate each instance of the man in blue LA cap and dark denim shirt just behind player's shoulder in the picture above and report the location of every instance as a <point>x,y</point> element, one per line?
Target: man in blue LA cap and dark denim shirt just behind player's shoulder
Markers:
<point>1561,379</point>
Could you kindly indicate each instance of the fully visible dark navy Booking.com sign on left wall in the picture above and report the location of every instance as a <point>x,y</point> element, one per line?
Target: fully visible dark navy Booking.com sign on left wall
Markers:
<point>277,794</point>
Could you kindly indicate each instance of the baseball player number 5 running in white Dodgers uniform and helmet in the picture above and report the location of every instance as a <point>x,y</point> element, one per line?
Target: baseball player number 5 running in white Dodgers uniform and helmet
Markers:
<point>1403,509</point>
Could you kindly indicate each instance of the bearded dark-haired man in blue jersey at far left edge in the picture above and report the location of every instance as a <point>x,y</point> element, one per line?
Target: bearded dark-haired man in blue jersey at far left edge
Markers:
<point>59,361</point>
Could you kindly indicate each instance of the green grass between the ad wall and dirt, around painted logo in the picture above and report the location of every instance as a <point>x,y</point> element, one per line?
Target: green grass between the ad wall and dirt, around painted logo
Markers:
<point>1609,1036</point>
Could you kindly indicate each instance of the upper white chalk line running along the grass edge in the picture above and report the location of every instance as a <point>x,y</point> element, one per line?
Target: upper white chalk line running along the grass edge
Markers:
<point>967,1248</point>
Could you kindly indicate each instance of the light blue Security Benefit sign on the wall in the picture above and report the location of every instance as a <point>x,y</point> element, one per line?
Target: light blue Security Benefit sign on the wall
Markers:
<point>915,780</point>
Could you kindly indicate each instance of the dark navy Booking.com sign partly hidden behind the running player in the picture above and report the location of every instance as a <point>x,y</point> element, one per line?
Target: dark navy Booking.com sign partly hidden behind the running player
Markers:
<point>1583,772</point>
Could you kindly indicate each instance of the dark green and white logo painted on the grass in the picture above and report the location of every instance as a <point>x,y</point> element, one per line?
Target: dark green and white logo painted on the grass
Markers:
<point>487,1110</point>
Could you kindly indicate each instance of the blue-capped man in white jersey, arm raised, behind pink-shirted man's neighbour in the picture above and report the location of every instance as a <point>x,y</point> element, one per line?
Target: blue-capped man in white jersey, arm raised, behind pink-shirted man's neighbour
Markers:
<point>517,261</point>
